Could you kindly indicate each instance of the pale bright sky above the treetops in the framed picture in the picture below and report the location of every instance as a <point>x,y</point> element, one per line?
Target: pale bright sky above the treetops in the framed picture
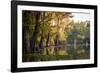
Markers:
<point>81,16</point>
